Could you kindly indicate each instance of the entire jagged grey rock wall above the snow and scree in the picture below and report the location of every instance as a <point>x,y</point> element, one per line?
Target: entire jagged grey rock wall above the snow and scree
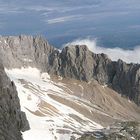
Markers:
<point>73,61</point>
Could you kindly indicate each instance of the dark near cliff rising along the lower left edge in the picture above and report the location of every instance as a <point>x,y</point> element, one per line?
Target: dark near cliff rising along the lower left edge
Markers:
<point>12,120</point>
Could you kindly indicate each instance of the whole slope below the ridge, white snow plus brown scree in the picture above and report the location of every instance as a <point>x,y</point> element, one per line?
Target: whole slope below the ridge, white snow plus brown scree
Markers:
<point>59,108</point>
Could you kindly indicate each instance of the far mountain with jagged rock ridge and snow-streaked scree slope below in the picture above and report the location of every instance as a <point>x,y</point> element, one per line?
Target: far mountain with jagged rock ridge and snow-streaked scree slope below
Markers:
<point>68,92</point>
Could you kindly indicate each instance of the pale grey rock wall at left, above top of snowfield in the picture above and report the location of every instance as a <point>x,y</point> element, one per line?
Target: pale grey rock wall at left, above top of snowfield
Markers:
<point>24,51</point>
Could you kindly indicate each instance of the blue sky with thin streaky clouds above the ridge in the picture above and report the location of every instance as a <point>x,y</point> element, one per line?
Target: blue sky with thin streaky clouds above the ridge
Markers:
<point>63,20</point>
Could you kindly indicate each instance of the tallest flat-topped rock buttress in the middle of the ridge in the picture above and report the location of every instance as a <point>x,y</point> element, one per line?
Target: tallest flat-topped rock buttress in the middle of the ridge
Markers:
<point>76,62</point>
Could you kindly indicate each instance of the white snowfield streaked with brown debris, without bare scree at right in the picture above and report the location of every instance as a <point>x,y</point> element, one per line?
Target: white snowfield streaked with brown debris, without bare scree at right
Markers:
<point>49,119</point>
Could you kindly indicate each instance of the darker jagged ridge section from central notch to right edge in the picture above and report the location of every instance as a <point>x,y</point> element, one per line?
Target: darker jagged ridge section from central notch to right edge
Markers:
<point>79,63</point>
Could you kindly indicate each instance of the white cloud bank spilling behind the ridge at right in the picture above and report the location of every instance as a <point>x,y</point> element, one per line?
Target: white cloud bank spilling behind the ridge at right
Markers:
<point>113,53</point>
